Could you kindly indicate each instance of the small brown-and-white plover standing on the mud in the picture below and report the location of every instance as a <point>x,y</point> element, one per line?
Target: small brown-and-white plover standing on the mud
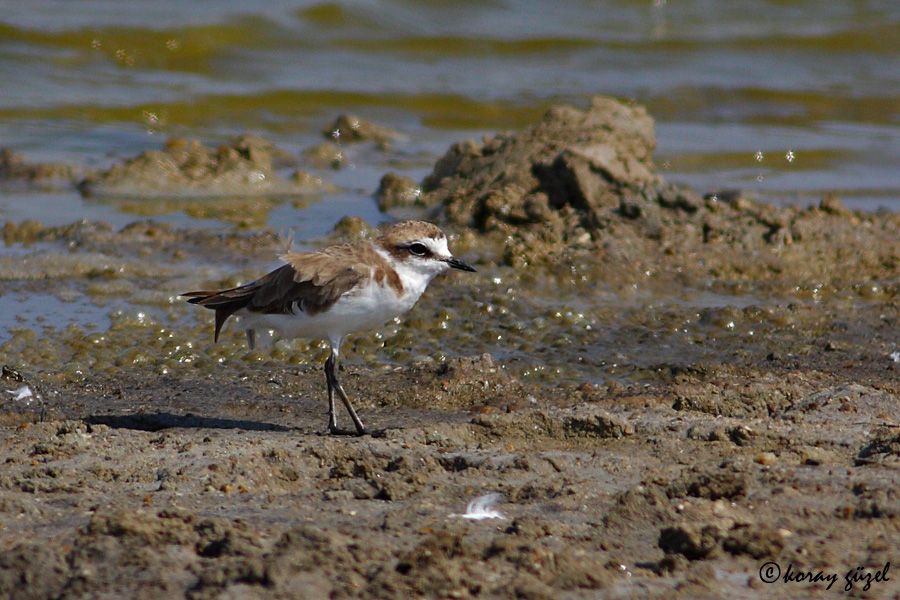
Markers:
<point>338,290</point>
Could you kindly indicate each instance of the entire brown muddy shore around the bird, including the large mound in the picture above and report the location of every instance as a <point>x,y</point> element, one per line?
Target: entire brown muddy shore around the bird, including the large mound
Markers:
<point>668,390</point>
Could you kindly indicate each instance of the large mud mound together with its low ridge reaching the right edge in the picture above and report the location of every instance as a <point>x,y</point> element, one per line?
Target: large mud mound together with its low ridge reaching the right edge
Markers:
<point>583,183</point>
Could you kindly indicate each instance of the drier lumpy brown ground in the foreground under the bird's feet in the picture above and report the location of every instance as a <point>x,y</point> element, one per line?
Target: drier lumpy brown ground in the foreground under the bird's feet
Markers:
<point>225,486</point>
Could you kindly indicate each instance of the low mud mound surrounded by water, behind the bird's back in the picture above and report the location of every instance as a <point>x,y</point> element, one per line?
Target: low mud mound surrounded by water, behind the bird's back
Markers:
<point>186,168</point>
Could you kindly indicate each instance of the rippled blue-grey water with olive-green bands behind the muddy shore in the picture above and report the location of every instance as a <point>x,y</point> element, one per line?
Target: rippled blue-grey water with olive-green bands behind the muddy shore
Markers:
<point>785,101</point>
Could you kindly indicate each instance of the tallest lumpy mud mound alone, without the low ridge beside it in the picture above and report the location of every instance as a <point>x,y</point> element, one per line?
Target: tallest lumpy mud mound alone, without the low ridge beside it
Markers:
<point>563,174</point>
